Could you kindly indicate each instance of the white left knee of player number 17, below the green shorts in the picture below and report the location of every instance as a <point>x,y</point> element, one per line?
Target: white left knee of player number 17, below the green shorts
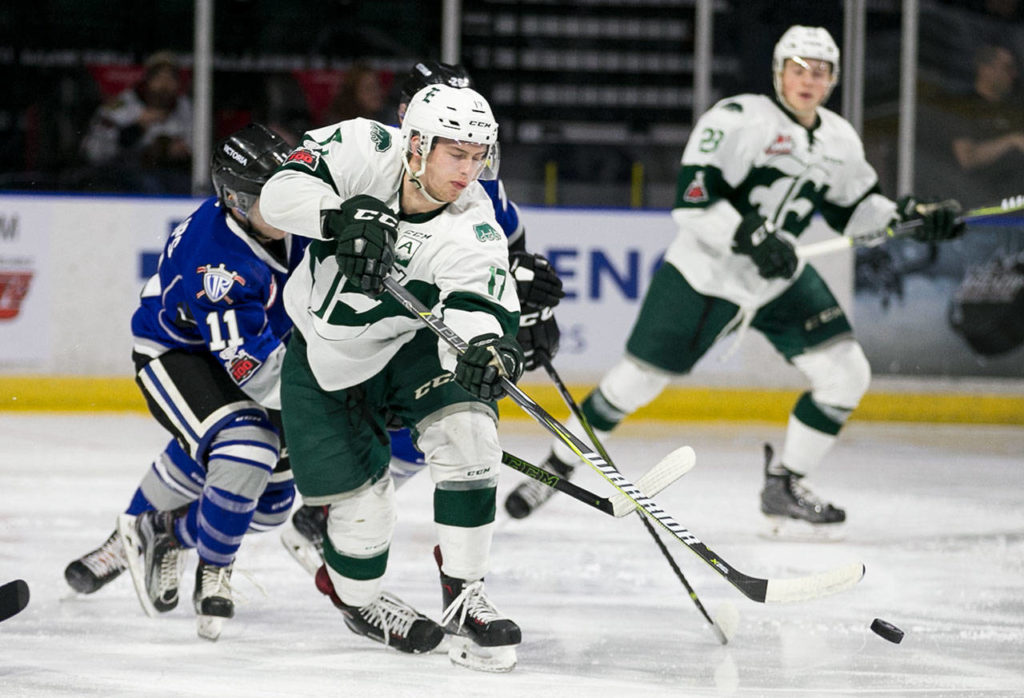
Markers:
<point>361,525</point>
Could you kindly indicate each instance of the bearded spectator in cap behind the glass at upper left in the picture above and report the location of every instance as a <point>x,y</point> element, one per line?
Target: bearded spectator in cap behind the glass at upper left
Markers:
<point>142,141</point>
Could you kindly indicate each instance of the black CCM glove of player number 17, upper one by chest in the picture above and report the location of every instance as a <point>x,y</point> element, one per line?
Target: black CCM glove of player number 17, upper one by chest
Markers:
<point>365,230</point>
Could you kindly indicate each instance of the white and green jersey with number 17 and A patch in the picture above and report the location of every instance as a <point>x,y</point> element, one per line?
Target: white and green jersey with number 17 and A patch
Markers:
<point>455,259</point>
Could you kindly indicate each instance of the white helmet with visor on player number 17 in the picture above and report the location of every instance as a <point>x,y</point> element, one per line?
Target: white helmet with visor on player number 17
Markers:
<point>461,115</point>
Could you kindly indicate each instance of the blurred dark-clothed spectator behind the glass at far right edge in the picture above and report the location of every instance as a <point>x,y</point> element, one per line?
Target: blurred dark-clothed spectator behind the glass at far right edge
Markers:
<point>989,142</point>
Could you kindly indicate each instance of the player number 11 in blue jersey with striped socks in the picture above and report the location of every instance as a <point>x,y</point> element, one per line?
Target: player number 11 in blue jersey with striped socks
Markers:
<point>209,341</point>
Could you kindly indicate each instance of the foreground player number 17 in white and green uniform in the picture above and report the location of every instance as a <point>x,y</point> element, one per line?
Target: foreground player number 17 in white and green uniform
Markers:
<point>381,203</point>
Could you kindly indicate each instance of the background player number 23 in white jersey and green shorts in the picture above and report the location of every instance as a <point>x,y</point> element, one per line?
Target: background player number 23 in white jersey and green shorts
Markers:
<point>755,171</point>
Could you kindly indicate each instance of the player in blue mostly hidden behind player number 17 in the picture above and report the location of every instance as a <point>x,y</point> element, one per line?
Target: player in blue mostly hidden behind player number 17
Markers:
<point>539,289</point>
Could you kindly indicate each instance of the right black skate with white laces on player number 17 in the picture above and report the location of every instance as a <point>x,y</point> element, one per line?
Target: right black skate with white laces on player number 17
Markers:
<point>480,637</point>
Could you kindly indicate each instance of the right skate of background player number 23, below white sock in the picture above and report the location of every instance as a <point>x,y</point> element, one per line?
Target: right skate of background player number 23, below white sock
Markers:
<point>793,511</point>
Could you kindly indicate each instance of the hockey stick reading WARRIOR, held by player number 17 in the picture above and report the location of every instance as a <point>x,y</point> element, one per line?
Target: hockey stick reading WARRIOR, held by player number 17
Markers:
<point>800,589</point>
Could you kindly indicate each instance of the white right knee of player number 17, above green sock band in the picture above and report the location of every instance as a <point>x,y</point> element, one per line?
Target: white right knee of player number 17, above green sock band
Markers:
<point>462,446</point>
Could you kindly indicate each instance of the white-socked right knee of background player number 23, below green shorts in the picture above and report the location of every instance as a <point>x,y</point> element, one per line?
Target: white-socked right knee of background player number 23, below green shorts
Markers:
<point>840,374</point>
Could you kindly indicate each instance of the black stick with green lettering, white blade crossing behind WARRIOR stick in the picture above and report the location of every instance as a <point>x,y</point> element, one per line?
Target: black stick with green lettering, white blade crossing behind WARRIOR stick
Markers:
<point>665,472</point>
